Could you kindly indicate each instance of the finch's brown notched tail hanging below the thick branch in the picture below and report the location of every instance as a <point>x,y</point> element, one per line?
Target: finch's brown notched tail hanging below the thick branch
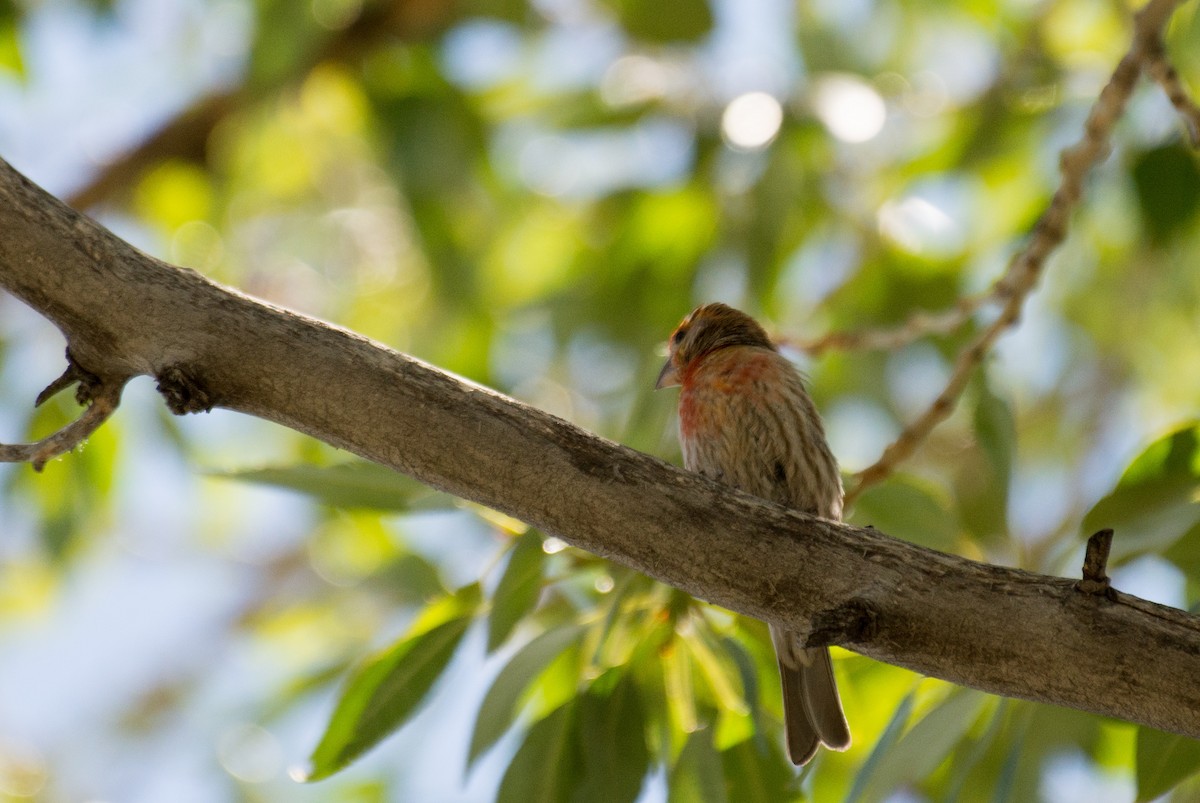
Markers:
<point>813,711</point>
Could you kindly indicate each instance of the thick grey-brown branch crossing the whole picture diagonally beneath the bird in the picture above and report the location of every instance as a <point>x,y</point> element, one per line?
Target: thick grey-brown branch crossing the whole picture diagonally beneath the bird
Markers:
<point>1003,631</point>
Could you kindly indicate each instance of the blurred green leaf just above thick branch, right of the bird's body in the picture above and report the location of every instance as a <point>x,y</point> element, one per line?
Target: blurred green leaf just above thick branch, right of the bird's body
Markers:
<point>908,508</point>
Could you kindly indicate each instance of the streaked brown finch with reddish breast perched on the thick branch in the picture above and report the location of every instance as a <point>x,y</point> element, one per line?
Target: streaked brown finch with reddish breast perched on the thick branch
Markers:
<point>747,421</point>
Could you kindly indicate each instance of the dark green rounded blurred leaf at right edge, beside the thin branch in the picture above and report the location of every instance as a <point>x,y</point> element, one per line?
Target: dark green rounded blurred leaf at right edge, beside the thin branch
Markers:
<point>1168,183</point>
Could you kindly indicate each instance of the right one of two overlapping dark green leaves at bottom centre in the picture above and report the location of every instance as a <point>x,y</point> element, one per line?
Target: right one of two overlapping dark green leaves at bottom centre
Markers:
<point>613,741</point>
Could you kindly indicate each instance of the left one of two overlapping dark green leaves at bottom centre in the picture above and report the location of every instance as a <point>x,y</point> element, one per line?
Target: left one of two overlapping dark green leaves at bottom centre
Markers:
<point>547,764</point>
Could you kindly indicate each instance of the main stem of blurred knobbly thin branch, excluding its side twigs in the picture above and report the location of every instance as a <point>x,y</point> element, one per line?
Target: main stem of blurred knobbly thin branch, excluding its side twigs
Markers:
<point>1048,235</point>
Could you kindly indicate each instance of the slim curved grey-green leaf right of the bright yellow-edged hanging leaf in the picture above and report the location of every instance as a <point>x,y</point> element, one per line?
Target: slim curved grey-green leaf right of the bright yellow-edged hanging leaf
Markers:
<point>500,706</point>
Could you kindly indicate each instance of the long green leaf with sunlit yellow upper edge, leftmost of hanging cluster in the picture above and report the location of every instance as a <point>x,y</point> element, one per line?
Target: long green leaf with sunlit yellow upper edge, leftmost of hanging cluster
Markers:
<point>388,688</point>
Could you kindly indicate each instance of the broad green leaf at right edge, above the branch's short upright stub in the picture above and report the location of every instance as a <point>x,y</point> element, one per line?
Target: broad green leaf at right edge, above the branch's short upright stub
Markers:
<point>1156,501</point>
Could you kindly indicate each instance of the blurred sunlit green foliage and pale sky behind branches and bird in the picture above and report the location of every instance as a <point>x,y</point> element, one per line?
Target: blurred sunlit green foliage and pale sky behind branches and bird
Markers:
<point>531,195</point>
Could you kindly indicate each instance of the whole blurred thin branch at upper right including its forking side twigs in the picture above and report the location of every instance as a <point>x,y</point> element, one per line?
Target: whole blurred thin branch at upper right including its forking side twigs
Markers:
<point>1145,53</point>
